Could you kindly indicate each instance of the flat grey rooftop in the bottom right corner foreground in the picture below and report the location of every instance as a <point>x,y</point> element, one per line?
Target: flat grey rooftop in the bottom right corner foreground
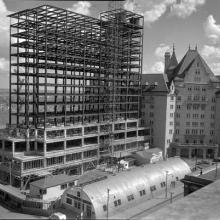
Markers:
<point>202,204</point>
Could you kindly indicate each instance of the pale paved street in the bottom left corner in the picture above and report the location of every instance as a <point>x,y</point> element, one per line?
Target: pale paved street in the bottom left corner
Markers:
<point>8,214</point>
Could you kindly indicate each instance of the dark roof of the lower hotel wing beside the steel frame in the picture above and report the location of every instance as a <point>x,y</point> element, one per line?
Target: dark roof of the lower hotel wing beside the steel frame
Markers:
<point>158,79</point>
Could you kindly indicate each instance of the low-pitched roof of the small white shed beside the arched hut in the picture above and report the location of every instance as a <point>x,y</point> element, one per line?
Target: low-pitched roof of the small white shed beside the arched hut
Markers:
<point>54,180</point>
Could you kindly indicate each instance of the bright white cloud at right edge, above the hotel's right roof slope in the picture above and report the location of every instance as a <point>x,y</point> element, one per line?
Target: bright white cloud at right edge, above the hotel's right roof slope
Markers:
<point>212,29</point>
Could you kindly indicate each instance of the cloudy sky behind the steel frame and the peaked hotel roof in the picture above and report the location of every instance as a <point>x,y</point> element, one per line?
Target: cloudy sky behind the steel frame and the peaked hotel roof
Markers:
<point>167,22</point>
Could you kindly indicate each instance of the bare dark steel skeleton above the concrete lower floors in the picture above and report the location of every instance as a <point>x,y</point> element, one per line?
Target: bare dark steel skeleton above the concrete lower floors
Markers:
<point>61,62</point>
